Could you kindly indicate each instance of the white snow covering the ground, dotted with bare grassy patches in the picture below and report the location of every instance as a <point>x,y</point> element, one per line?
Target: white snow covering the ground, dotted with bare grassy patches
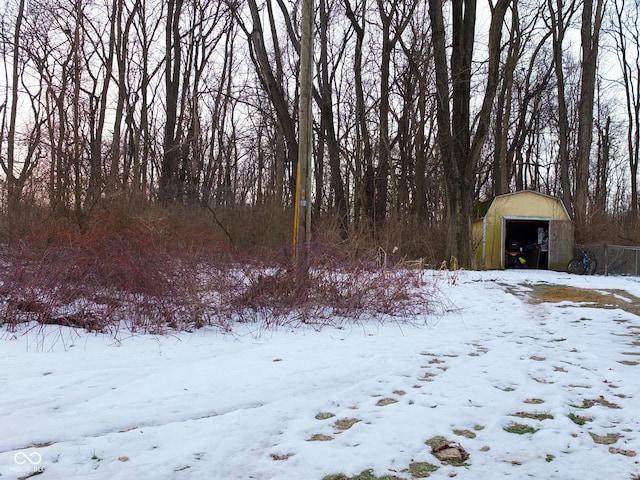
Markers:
<point>208,404</point>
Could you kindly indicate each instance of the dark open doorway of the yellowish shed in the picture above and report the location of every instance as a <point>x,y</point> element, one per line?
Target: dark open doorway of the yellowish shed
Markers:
<point>526,243</point>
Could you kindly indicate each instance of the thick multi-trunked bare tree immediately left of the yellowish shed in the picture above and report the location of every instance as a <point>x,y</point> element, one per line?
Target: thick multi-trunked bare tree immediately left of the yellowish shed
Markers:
<point>460,153</point>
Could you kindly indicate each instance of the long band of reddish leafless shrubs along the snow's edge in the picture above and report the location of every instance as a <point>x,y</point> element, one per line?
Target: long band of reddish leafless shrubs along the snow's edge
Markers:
<point>144,277</point>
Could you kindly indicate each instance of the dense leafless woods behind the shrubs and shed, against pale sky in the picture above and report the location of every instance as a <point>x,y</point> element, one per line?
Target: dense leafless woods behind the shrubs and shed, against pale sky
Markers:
<point>422,111</point>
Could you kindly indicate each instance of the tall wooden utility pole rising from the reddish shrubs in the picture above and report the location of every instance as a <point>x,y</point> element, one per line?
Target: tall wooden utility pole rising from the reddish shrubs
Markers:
<point>302,208</point>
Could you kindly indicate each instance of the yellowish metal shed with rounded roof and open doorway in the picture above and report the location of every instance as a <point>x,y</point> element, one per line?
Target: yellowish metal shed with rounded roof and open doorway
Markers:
<point>536,224</point>
